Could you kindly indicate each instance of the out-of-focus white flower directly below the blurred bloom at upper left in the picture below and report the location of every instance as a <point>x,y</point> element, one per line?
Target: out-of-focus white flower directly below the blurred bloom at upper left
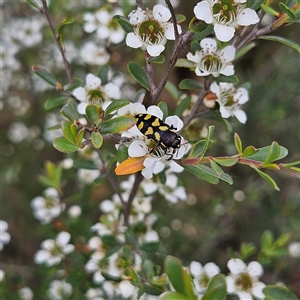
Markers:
<point>94,54</point>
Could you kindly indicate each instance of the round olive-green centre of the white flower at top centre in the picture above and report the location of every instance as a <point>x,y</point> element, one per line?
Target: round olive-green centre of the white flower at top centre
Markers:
<point>151,32</point>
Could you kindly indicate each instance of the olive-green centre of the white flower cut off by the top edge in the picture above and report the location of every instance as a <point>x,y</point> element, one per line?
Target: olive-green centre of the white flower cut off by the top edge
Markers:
<point>224,11</point>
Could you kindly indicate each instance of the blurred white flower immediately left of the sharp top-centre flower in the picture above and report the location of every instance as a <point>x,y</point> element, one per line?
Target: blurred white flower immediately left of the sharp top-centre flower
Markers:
<point>101,22</point>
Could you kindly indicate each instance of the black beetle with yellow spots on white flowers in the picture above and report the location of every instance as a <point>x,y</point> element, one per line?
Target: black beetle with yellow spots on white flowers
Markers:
<point>161,133</point>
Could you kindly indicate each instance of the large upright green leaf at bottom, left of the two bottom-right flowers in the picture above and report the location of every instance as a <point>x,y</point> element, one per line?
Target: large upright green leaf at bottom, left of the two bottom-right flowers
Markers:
<point>179,277</point>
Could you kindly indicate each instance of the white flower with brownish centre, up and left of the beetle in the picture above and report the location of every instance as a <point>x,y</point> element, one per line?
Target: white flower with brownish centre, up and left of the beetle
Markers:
<point>94,92</point>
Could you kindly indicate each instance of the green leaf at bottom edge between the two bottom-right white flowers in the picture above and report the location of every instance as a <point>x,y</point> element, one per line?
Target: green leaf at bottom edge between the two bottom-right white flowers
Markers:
<point>216,289</point>
